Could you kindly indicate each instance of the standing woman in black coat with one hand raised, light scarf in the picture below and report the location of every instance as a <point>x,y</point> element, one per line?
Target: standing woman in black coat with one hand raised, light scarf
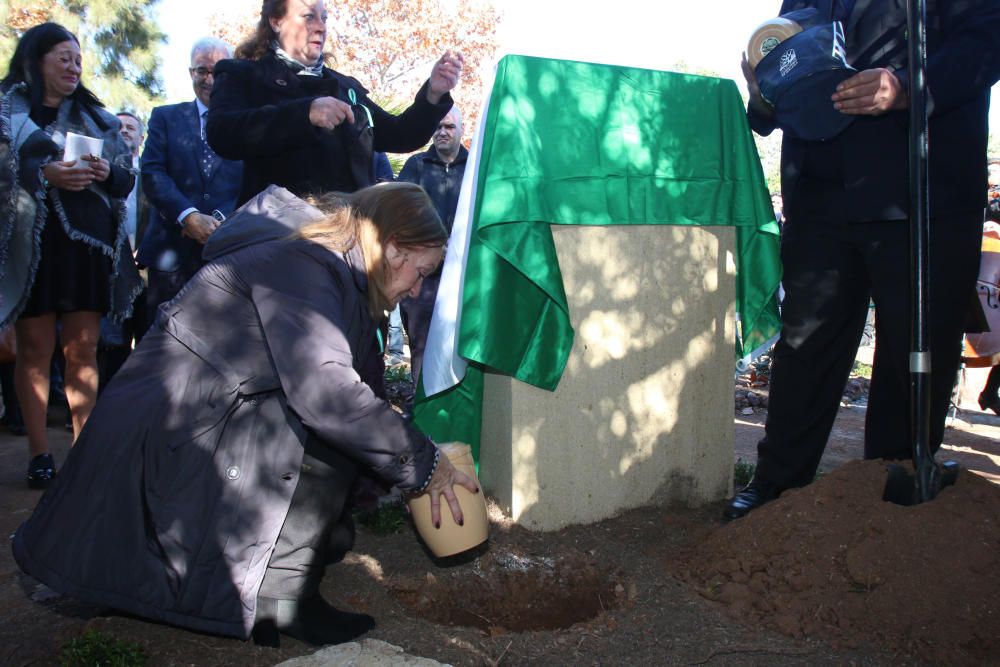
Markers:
<point>303,126</point>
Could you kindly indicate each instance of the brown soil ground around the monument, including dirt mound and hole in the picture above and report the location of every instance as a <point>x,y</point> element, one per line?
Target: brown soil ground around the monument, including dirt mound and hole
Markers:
<point>827,575</point>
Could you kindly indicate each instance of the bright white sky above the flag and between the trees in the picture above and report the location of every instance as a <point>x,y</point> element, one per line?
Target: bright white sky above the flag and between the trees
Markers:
<point>706,35</point>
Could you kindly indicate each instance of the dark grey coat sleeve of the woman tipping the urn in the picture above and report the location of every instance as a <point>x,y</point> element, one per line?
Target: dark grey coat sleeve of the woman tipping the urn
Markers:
<point>305,312</point>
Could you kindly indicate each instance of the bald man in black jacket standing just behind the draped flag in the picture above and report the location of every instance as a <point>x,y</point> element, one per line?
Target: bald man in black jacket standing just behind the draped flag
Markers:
<point>439,171</point>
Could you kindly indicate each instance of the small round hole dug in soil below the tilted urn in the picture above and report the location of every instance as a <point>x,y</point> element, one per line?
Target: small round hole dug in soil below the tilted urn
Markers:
<point>508,592</point>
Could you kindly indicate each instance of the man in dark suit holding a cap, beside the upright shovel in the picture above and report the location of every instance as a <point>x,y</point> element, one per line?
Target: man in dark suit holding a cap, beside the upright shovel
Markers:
<point>846,233</point>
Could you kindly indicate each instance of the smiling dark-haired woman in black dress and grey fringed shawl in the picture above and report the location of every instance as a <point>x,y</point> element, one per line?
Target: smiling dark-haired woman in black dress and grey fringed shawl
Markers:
<point>64,251</point>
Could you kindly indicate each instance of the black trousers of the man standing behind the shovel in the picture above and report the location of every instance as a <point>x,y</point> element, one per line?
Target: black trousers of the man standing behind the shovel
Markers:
<point>831,270</point>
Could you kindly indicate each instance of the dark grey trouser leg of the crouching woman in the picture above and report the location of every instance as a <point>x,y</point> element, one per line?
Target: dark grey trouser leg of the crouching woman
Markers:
<point>318,529</point>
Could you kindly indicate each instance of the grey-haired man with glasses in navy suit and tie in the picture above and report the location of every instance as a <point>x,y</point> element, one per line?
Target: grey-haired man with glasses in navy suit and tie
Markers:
<point>185,181</point>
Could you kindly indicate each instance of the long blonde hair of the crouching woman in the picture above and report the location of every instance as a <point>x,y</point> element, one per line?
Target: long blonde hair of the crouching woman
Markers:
<point>371,217</point>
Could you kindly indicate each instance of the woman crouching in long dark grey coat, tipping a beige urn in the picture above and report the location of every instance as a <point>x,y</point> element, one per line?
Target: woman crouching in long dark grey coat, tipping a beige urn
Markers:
<point>210,487</point>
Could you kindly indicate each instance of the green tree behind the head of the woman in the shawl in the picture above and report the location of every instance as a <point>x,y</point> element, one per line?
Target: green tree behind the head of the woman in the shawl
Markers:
<point>119,40</point>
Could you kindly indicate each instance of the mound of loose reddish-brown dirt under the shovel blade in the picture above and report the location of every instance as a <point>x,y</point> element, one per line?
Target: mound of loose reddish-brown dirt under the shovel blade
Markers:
<point>834,561</point>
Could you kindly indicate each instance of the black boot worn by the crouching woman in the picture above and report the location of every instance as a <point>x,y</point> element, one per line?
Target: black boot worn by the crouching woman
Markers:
<point>311,620</point>
